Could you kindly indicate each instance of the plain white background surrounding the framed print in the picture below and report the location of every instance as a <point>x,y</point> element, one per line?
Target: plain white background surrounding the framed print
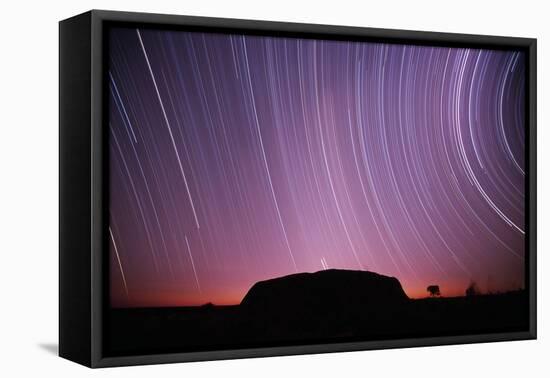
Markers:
<point>29,186</point>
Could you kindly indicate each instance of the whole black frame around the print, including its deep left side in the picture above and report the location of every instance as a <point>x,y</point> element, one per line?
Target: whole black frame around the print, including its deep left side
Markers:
<point>83,182</point>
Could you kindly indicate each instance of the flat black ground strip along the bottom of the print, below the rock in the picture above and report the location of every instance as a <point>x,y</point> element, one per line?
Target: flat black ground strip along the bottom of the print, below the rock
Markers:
<point>164,330</point>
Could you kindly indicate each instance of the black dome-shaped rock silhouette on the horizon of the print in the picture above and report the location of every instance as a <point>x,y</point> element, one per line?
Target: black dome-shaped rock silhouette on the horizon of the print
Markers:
<point>328,290</point>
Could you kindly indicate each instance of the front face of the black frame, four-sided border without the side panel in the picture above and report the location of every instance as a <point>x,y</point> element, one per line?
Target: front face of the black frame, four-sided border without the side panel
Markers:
<point>99,17</point>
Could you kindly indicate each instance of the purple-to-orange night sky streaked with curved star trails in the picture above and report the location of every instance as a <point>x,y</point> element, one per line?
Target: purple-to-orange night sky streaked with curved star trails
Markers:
<point>235,159</point>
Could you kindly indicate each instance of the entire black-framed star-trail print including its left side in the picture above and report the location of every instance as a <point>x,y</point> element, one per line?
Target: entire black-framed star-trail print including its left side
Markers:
<point>234,188</point>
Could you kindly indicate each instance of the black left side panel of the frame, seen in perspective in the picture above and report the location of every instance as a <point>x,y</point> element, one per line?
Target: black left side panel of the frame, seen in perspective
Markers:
<point>74,217</point>
